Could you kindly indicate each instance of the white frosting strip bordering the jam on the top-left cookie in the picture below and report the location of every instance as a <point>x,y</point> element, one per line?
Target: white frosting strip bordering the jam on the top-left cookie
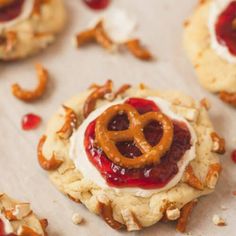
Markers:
<point>25,13</point>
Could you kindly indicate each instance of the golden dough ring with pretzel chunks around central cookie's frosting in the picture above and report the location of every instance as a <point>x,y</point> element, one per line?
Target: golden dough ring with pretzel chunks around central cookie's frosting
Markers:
<point>127,209</point>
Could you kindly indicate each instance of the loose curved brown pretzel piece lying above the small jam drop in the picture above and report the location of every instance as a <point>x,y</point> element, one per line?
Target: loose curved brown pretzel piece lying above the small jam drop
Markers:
<point>28,96</point>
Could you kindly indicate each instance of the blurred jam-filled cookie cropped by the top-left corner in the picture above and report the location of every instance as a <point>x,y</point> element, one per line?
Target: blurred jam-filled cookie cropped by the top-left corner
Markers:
<point>28,26</point>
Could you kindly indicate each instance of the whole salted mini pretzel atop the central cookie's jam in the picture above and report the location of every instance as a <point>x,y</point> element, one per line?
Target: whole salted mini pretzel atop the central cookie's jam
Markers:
<point>107,139</point>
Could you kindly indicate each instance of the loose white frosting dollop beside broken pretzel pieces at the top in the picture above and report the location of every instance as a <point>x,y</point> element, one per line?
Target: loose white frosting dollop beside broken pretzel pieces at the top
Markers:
<point>118,24</point>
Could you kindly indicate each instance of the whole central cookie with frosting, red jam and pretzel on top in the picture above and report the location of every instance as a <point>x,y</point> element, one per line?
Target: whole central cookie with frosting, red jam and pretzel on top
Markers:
<point>88,153</point>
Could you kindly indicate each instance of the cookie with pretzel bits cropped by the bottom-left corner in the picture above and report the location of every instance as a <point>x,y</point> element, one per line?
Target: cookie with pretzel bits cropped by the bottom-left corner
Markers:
<point>17,218</point>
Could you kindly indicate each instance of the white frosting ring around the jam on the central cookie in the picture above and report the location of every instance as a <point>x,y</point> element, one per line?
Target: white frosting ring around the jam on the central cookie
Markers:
<point>89,171</point>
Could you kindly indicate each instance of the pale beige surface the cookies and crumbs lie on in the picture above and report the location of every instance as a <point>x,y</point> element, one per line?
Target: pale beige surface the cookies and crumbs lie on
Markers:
<point>160,27</point>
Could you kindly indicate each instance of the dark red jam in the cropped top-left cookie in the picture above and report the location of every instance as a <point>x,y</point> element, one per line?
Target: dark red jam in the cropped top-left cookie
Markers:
<point>10,12</point>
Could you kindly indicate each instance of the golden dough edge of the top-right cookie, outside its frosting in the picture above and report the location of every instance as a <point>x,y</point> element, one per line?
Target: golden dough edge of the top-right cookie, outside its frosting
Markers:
<point>215,73</point>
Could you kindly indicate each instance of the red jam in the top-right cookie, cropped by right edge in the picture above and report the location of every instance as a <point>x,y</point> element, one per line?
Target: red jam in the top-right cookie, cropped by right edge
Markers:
<point>226,29</point>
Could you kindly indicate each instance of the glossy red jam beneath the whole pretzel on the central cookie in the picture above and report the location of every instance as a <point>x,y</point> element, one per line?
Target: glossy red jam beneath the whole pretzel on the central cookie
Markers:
<point>149,177</point>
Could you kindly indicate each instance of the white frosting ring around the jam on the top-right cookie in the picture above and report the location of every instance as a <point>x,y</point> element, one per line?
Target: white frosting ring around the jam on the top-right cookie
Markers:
<point>216,8</point>
